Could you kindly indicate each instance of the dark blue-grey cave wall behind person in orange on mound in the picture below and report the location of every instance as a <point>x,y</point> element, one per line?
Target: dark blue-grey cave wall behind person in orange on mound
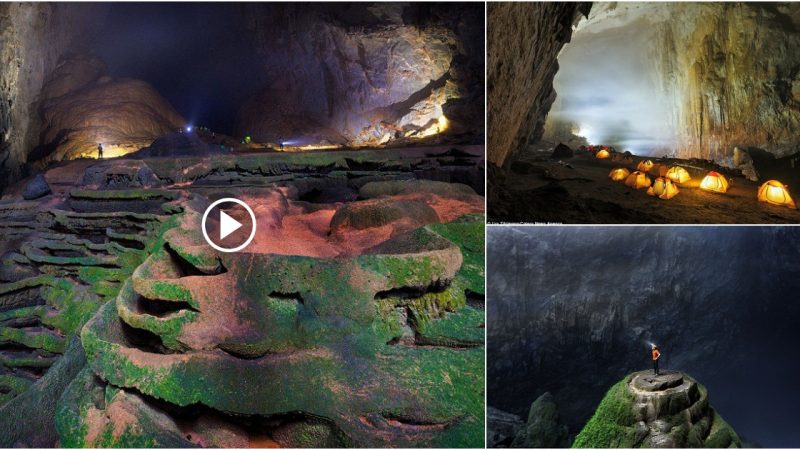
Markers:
<point>570,311</point>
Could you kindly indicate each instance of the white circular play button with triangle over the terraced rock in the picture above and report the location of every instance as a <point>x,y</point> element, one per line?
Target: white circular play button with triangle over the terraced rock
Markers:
<point>233,221</point>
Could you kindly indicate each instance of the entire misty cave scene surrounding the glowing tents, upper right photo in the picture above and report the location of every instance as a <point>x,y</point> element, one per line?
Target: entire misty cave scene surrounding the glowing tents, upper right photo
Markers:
<point>707,87</point>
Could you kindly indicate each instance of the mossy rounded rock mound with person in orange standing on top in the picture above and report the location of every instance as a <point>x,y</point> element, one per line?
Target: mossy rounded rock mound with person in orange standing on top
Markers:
<point>670,410</point>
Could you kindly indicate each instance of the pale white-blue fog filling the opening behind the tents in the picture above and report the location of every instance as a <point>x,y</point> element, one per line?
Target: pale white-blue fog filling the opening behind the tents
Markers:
<point>609,91</point>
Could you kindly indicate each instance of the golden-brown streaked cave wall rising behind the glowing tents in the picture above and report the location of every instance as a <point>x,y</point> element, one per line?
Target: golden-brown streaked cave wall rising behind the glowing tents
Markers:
<point>738,77</point>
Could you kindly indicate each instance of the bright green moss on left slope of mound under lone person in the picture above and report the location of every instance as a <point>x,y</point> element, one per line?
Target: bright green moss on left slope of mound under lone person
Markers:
<point>611,426</point>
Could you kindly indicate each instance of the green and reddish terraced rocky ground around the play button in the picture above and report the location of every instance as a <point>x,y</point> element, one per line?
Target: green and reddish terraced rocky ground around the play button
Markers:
<point>355,318</point>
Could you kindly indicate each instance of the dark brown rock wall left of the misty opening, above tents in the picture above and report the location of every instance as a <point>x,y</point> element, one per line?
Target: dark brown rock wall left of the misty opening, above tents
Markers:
<point>524,40</point>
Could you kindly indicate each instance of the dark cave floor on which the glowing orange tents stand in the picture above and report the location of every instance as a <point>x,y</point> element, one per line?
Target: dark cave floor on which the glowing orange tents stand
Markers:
<point>540,189</point>
